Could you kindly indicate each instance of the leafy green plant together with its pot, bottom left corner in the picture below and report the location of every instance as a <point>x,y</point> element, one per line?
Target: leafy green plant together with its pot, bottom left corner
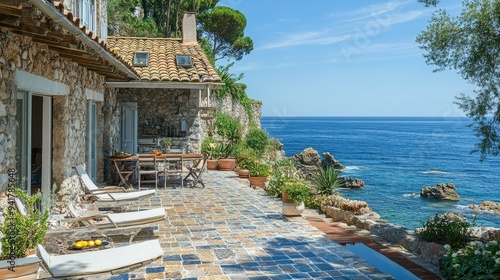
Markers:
<point>21,234</point>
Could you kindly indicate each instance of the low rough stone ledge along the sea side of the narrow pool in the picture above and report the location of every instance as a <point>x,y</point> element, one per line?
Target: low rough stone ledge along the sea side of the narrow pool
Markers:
<point>428,251</point>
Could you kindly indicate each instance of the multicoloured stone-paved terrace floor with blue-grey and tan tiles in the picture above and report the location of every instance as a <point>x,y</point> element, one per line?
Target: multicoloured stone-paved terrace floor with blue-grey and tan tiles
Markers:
<point>231,231</point>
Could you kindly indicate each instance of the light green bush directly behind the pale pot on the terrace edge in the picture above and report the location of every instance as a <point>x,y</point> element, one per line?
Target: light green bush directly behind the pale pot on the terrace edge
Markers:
<point>284,171</point>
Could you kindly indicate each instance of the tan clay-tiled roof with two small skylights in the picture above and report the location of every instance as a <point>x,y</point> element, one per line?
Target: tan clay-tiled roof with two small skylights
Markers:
<point>162,67</point>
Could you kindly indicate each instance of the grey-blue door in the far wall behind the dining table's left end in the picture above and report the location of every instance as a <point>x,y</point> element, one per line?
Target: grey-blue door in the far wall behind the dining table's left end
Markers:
<point>129,127</point>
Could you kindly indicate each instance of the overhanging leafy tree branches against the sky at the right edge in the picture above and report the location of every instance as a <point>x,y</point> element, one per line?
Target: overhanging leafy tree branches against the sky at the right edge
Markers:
<point>470,44</point>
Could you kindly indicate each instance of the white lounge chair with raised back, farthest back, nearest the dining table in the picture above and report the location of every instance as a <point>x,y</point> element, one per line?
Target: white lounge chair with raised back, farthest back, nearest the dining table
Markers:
<point>110,194</point>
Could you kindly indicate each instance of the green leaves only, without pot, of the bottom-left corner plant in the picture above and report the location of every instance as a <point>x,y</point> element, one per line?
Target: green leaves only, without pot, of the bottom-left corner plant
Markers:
<point>29,229</point>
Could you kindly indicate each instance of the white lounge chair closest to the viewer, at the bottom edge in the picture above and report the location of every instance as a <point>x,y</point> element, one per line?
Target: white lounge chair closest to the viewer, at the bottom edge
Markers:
<point>100,261</point>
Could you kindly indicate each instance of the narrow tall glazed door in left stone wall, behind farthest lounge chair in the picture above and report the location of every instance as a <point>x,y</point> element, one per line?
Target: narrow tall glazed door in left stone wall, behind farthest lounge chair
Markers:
<point>92,140</point>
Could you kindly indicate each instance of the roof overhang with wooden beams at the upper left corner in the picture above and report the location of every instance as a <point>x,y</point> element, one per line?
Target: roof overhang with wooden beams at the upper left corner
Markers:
<point>25,20</point>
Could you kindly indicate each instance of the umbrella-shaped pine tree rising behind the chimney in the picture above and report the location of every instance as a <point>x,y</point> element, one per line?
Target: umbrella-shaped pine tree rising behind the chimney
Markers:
<point>224,28</point>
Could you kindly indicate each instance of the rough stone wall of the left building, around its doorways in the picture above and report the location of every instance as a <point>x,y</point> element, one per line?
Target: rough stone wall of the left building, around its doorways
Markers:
<point>69,111</point>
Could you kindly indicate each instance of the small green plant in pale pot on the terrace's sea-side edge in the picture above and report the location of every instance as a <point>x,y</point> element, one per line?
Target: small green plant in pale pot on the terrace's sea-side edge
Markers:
<point>293,195</point>
